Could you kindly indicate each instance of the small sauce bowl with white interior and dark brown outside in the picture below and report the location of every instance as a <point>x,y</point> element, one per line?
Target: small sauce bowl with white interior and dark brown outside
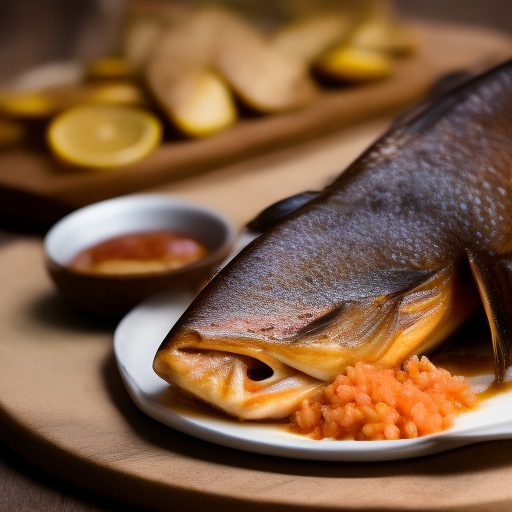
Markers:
<point>110,296</point>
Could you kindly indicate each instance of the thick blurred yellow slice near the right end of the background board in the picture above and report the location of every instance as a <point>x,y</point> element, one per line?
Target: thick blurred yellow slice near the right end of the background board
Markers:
<point>350,64</point>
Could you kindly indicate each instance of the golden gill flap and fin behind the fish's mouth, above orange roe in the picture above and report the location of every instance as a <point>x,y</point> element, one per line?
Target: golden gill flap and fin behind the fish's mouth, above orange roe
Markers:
<point>387,329</point>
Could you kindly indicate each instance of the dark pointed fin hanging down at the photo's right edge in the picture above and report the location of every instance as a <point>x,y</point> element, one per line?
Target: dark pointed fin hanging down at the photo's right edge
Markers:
<point>493,277</point>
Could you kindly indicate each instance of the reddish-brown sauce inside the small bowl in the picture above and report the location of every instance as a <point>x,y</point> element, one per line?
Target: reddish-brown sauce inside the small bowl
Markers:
<point>135,253</point>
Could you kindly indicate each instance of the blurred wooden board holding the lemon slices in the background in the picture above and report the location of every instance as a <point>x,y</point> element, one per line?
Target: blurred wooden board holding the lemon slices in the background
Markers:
<point>34,187</point>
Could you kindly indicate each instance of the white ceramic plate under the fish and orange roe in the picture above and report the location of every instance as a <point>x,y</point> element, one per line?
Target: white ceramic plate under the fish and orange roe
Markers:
<point>138,337</point>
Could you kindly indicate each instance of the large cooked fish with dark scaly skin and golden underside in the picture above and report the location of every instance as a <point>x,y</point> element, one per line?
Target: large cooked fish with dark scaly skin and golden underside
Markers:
<point>384,263</point>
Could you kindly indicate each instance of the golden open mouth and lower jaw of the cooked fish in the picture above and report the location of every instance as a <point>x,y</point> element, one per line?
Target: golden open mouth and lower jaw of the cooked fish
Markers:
<point>247,383</point>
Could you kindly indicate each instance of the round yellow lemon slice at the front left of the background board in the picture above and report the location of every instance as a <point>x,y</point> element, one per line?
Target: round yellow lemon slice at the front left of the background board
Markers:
<point>104,136</point>
